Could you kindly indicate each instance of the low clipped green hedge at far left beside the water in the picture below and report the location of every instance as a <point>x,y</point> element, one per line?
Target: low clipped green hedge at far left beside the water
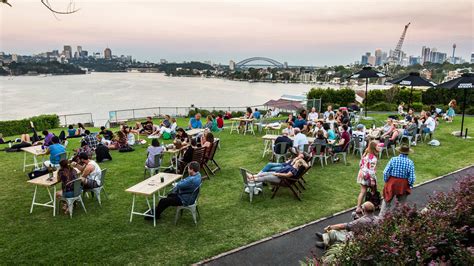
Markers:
<point>17,127</point>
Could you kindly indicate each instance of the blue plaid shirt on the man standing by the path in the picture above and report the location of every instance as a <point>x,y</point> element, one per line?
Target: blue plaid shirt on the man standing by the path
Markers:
<point>400,167</point>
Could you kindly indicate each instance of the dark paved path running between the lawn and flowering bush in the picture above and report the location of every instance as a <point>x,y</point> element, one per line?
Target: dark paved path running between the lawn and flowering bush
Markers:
<point>290,247</point>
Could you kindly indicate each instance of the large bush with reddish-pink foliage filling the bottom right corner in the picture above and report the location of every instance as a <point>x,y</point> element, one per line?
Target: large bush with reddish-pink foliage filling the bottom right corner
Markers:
<point>440,234</point>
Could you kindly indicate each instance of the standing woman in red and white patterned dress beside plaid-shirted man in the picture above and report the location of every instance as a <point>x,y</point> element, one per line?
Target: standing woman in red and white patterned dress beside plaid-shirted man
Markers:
<point>366,177</point>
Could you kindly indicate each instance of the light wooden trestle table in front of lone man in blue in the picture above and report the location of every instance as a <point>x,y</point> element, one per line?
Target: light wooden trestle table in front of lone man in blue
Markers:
<point>150,187</point>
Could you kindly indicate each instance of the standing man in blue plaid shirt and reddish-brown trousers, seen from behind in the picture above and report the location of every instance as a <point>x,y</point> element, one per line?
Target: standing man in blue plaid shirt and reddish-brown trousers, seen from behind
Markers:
<point>399,177</point>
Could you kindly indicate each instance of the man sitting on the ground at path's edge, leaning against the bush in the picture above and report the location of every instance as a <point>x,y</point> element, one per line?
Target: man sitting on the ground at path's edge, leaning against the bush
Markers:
<point>341,232</point>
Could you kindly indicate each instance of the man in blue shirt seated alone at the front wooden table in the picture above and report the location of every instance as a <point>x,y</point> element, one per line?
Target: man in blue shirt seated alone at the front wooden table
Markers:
<point>182,193</point>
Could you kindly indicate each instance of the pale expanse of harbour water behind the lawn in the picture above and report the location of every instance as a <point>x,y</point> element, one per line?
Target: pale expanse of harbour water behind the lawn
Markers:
<point>99,93</point>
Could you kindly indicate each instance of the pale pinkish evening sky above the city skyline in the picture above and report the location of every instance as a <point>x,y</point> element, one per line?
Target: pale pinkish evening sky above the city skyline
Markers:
<point>313,33</point>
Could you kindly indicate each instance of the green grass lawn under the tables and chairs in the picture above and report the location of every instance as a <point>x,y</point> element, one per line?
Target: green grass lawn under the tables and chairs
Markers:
<point>104,235</point>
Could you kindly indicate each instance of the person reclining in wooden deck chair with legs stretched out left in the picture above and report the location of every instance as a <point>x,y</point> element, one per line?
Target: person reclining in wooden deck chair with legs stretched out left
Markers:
<point>287,171</point>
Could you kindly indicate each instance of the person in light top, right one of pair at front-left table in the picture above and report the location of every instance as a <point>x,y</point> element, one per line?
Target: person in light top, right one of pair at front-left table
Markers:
<point>90,172</point>
